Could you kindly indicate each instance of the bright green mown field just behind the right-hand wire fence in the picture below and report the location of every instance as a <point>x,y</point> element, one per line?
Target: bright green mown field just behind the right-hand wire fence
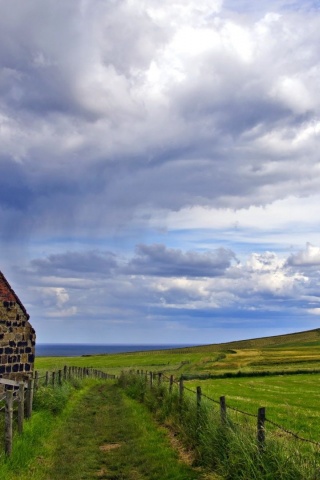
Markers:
<point>292,401</point>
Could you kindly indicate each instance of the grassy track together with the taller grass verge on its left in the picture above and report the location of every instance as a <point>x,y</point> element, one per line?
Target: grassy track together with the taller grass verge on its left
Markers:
<point>92,431</point>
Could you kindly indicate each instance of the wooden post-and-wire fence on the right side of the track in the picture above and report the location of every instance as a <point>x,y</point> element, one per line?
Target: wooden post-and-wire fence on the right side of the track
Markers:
<point>261,418</point>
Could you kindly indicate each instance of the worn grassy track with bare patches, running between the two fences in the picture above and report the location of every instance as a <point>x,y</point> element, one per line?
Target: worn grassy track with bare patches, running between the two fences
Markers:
<point>109,436</point>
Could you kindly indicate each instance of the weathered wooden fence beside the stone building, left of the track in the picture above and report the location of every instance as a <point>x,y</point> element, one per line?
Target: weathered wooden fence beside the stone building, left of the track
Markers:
<point>20,395</point>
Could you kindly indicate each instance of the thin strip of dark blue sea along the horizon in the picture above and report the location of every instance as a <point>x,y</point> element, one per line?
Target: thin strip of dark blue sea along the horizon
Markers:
<point>80,349</point>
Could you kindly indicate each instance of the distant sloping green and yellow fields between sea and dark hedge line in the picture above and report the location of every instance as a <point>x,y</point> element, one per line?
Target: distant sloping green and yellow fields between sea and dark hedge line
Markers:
<point>281,353</point>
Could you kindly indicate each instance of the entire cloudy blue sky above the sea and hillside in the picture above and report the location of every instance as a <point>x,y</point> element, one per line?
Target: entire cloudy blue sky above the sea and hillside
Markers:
<point>159,168</point>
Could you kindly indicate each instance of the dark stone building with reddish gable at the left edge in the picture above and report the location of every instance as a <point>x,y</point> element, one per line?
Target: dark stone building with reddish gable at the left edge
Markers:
<point>17,337</point>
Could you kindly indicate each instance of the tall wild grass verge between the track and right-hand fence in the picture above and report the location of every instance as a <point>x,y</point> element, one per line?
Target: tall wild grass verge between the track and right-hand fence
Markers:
<point>229,448</point>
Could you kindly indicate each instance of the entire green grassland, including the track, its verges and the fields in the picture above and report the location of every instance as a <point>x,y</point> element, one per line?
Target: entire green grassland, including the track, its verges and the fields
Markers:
<point>251,374</point>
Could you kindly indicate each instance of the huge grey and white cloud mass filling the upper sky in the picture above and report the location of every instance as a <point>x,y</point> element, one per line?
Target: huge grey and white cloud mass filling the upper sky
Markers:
<point>131,106</point>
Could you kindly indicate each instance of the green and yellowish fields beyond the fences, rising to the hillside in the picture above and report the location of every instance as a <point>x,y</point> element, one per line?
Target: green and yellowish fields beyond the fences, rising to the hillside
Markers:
<point>291,400</point>
